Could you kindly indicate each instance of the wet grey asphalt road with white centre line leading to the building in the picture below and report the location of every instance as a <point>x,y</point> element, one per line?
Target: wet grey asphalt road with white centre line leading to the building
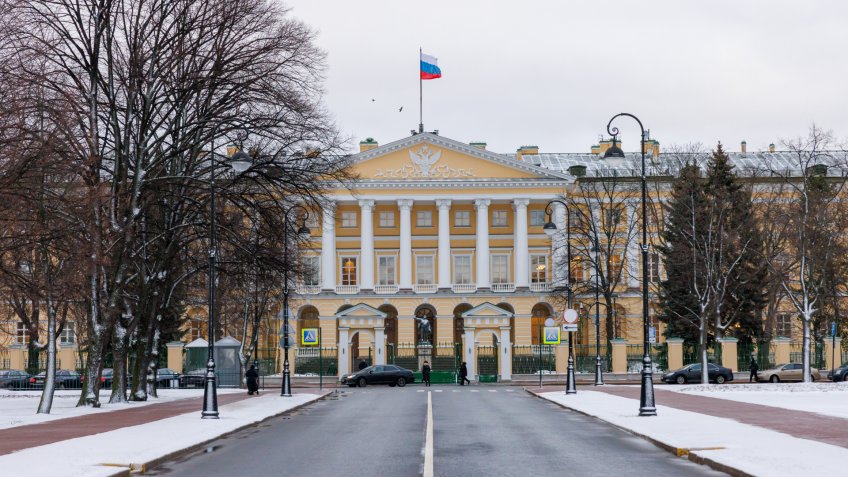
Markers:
<point>477,431</point>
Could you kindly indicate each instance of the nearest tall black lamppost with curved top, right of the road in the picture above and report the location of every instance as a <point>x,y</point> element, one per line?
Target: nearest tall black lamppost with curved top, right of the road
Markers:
<point>646,396</point>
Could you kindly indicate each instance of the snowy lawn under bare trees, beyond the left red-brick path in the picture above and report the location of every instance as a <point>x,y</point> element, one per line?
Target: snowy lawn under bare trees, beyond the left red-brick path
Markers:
<point>17,408</point>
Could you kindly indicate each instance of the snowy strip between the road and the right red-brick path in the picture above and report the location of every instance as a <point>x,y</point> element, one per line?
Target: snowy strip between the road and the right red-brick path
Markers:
<point>751,449</point>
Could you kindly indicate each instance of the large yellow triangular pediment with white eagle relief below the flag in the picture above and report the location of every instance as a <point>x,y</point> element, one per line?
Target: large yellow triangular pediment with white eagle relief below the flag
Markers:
<point>428,157</point>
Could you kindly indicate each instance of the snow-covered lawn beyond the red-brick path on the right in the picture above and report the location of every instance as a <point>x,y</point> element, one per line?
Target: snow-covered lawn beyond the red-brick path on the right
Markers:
<point>823,398</point>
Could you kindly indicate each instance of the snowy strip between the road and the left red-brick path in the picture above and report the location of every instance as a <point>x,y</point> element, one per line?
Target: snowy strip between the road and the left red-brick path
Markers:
<point>86,456</point>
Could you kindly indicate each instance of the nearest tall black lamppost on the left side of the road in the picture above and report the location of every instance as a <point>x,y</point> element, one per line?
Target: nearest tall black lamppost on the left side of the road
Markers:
<point>239,163</point>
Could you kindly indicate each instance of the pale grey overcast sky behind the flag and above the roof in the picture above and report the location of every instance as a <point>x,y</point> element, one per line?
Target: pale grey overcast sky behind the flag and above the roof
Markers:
<point>552,73</point>
